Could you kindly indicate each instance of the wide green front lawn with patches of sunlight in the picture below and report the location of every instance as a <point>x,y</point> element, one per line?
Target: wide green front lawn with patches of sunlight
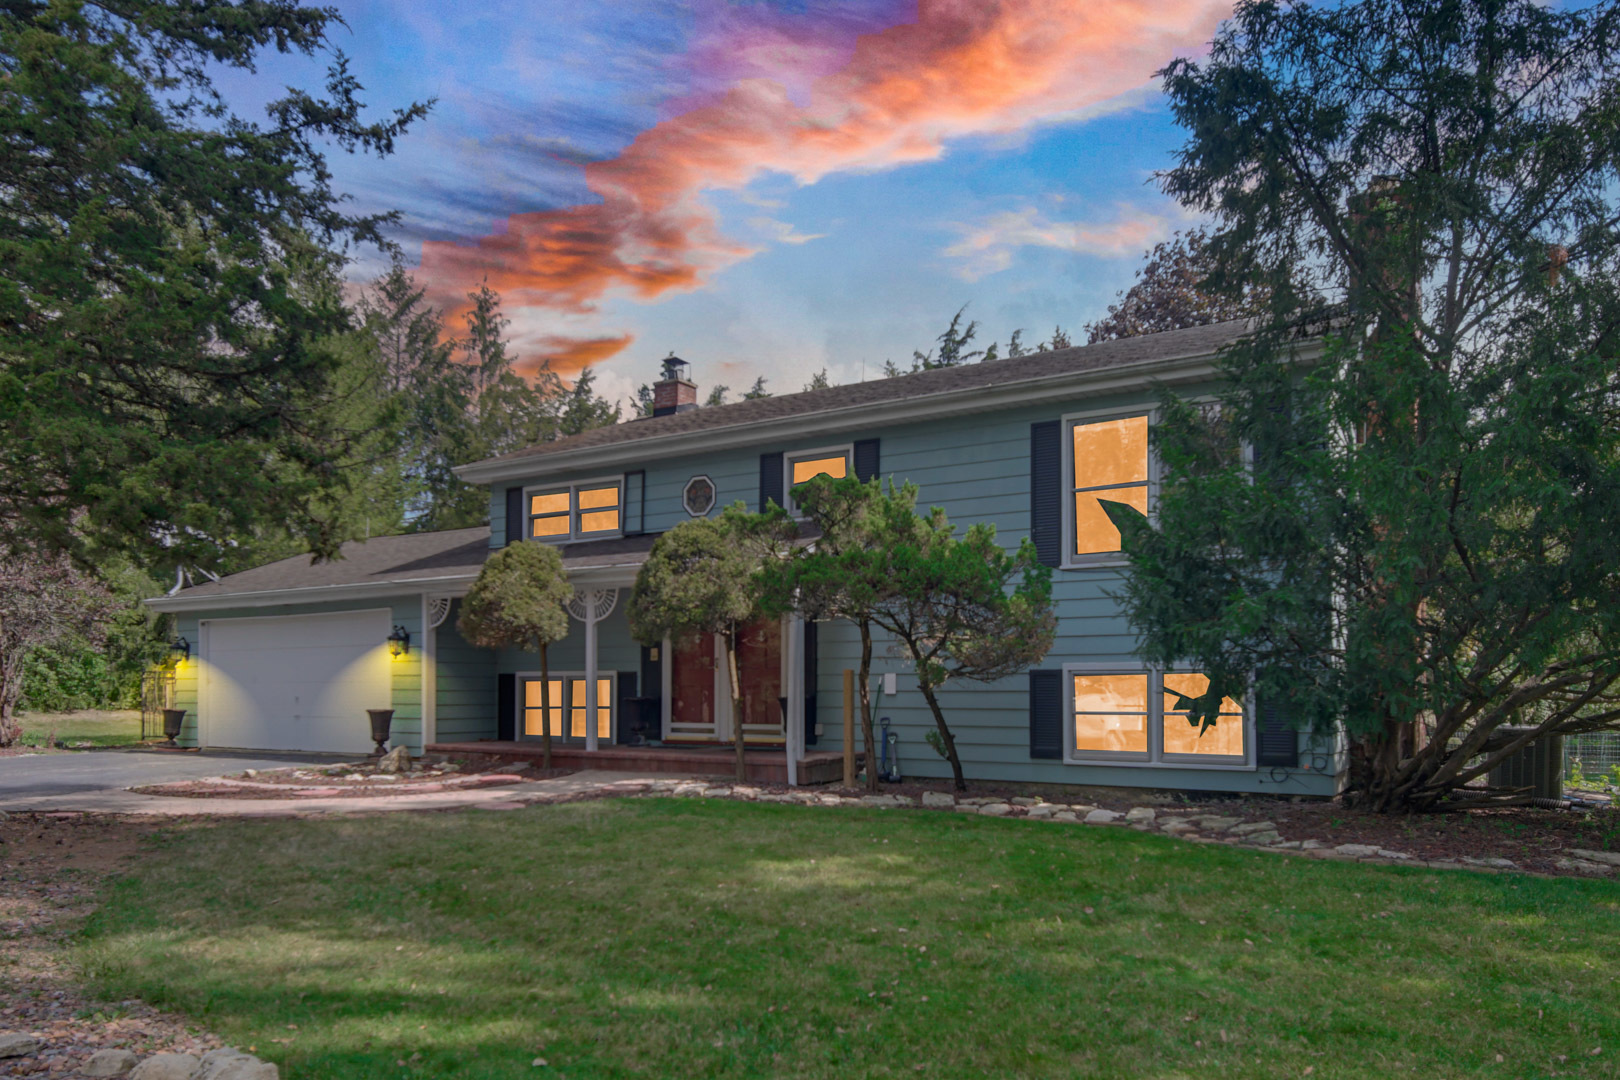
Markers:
<point>691,938</point>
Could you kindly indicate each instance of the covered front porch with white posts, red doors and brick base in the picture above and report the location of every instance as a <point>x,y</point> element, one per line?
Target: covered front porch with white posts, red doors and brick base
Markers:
<point>610,702</point>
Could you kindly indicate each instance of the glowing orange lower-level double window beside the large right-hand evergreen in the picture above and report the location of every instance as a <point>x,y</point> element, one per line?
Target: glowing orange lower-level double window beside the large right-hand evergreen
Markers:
<point>1141,716</point>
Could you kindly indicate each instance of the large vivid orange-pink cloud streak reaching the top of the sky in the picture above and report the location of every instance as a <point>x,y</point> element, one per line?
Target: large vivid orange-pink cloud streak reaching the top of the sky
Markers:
<point>965,67</point>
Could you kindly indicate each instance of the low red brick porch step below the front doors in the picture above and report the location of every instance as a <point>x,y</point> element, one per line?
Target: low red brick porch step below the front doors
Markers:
<point>764,767</point>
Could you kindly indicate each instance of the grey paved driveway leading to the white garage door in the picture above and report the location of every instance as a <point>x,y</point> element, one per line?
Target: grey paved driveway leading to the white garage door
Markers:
<point>41,781</point>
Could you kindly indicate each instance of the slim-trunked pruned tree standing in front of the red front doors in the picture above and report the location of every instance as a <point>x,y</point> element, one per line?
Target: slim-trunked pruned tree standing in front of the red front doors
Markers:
<point>845,574</point>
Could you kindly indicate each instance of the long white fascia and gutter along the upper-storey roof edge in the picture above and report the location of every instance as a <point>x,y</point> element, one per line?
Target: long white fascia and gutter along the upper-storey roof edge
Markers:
<point>845,420</point>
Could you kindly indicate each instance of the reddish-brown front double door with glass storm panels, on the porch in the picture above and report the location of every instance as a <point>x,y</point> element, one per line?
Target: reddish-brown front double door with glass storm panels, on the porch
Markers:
<point>699,700</point>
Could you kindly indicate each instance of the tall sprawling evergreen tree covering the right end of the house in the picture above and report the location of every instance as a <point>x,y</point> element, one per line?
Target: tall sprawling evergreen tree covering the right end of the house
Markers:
<point>1423,540</point>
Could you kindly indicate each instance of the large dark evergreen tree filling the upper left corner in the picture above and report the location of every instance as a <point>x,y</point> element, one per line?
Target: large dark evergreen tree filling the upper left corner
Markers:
<point>169,278</point>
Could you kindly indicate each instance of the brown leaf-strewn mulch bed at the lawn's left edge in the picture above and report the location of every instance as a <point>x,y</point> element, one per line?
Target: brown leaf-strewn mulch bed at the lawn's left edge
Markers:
<point>51,870</point>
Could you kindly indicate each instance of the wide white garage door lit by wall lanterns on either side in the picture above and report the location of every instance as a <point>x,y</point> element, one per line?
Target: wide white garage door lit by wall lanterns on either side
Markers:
<point>294,682</point>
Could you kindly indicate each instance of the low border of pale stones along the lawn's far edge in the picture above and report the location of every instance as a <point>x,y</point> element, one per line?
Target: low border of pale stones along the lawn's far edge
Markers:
<point>1196,828</point>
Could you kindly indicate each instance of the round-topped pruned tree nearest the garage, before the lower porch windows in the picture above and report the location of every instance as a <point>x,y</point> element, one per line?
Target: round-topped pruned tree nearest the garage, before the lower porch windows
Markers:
<point>521,602</point>
